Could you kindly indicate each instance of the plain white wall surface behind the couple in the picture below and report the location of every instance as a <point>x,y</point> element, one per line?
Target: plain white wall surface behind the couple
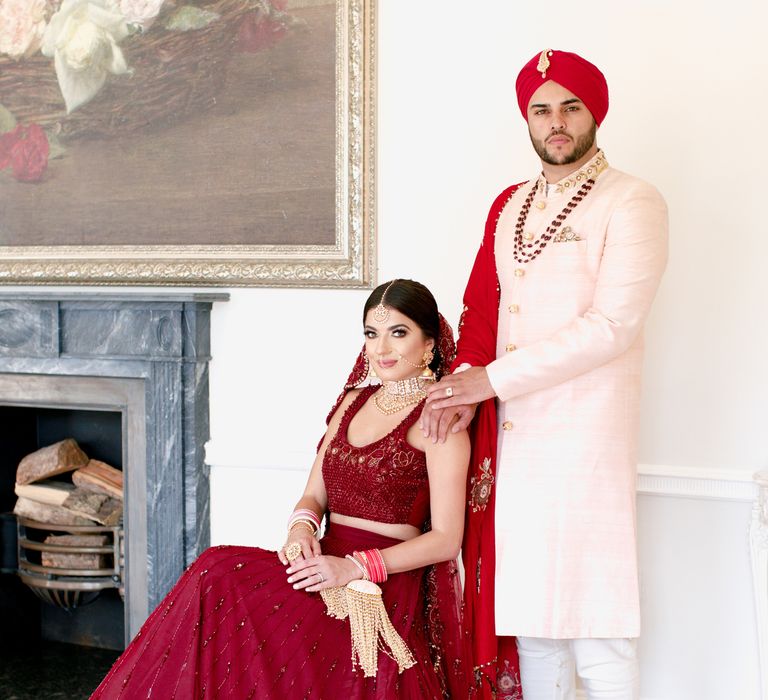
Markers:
<point>688,106</point>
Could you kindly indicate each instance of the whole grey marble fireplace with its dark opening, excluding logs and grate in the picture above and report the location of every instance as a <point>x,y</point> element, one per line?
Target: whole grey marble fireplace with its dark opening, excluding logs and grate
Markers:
<point>126,376</point>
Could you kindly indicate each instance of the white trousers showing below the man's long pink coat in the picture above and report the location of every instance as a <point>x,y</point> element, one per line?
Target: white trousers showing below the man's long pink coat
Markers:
<point>607,668</point>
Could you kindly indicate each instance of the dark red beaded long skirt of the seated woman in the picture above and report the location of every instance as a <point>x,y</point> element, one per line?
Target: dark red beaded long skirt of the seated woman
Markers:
<point>232,627</point>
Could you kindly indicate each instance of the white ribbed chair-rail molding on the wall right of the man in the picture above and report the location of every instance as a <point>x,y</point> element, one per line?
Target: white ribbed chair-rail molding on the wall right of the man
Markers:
<point>695,482</point>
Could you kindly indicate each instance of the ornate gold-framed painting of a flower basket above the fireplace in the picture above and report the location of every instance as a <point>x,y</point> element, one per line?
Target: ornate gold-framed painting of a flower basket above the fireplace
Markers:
<point>266,180</point>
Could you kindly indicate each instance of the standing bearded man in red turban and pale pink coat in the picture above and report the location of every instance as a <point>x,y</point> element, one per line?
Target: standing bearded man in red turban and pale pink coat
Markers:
<point>549,355</point>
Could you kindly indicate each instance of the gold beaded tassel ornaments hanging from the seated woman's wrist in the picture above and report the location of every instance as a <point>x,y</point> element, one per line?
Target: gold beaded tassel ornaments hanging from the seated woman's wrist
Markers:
<point>361,601</point>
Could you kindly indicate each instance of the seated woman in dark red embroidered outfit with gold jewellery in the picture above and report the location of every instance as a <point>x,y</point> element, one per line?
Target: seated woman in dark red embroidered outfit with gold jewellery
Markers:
<point>371,609</point>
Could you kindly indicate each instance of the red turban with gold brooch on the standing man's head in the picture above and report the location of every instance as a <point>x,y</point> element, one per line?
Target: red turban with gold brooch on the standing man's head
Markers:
<point>569,70</point>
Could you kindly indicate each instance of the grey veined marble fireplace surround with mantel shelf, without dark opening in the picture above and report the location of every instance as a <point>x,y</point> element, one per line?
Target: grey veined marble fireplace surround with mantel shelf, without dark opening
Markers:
<point>146,356</point>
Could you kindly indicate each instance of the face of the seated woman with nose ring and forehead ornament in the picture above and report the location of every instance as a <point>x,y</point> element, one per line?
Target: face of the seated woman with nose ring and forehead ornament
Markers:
<point>394,343</point>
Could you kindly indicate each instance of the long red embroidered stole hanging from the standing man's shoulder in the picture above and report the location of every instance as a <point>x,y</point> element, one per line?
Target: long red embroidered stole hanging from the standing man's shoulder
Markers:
<point>494,658</point>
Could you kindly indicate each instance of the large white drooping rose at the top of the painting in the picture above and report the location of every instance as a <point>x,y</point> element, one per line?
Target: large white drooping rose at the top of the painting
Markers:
<point>83,39</point>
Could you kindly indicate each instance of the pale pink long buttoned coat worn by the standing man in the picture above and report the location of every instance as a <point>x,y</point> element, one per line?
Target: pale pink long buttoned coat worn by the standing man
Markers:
<point>568,380</point>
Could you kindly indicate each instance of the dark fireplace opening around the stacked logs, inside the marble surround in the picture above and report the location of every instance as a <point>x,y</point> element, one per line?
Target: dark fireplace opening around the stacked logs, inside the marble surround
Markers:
<point>63,613</point>
